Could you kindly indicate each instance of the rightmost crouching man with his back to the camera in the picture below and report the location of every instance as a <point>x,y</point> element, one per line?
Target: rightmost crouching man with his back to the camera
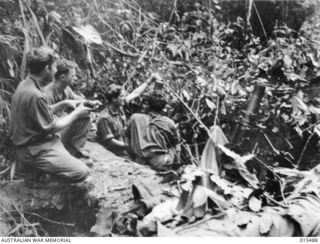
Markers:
<point>154,138</point>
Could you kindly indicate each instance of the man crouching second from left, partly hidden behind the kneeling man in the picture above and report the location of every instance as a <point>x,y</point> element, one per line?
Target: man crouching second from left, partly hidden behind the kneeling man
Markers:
<point>75,135</point>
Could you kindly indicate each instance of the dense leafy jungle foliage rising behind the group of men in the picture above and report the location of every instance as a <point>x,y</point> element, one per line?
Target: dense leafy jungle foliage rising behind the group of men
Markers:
<point>212,54</point>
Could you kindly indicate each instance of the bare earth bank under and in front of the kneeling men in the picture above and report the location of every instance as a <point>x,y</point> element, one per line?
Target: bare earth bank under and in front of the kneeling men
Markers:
<point>108,186</point>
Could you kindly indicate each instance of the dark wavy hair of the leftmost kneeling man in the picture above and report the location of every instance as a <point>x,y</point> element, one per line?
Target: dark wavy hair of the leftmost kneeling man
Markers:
<point>39,58</point>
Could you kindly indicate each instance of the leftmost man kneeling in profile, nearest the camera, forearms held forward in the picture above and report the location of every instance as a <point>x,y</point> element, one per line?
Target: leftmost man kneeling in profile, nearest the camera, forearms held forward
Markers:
<point>34,131</point>
